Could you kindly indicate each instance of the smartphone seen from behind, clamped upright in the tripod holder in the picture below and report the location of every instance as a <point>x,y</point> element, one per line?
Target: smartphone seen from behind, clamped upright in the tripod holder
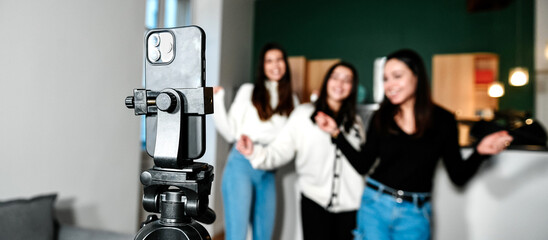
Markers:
<point>175,58</point>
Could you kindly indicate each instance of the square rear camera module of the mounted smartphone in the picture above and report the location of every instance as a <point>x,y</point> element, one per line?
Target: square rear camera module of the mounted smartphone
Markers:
<point>160,47</point>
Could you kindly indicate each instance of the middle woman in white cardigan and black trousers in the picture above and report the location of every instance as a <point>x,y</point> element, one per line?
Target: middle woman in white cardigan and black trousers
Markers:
<point>330,187</point>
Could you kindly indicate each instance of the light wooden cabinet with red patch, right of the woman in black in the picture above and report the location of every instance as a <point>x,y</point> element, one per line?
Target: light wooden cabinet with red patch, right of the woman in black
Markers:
<point>460,83</point>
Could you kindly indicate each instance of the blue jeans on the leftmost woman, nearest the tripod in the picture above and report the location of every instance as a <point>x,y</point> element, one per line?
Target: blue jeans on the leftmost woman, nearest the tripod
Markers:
<point>249,196</point>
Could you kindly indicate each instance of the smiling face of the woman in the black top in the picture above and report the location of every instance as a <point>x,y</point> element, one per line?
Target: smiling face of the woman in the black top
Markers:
<point>400,83</point>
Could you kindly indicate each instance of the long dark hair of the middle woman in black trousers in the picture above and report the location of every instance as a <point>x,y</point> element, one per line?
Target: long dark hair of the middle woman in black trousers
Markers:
<point>347,113</point>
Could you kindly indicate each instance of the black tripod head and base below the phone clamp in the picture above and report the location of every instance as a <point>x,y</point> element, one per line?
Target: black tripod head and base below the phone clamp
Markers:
<point>178,207</point>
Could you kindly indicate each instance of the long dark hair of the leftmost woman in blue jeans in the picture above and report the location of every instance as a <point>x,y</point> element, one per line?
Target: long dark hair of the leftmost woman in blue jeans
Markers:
<point>261,97</point>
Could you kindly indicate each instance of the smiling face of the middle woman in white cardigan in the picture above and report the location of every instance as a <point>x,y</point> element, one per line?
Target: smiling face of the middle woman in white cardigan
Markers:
<point>339,84</point>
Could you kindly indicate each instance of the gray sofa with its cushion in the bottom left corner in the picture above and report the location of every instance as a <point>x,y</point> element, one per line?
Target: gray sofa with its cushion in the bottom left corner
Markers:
<point>34,219</point>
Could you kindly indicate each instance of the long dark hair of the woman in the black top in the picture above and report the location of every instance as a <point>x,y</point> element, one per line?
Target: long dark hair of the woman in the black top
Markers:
<point>423,99</point>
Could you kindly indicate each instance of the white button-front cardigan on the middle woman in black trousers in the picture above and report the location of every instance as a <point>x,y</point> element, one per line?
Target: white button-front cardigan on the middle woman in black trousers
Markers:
<point>317,160</point>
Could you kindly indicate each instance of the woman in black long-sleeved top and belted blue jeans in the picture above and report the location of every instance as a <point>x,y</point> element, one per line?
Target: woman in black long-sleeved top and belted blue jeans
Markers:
<point>409,134</point>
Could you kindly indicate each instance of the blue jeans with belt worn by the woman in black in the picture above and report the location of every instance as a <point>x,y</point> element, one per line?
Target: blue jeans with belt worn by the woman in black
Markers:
<point>381,216</point>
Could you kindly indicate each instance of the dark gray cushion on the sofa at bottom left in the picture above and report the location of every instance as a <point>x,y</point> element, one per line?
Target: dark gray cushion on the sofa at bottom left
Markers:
<point>25,219</point>
